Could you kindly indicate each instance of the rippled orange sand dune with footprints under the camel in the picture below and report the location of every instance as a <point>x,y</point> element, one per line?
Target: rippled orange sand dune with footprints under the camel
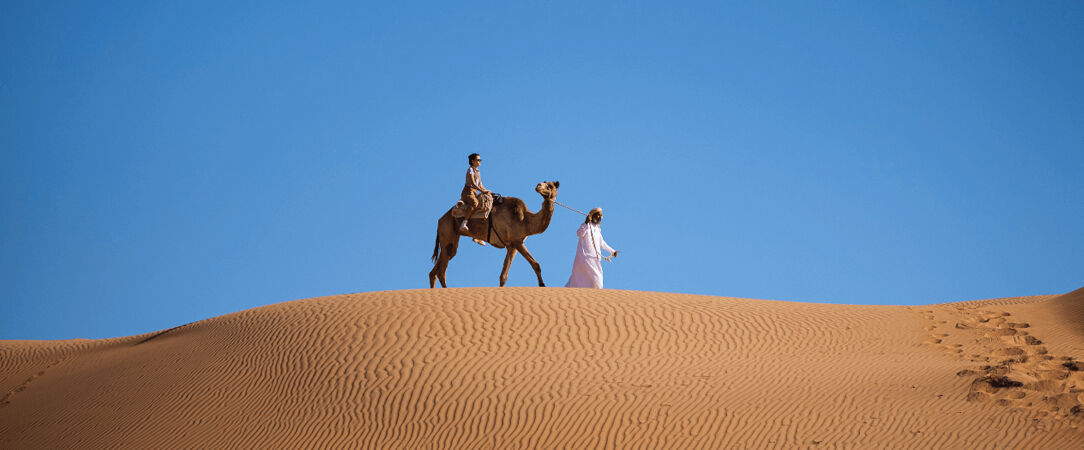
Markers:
<point>560,368</point>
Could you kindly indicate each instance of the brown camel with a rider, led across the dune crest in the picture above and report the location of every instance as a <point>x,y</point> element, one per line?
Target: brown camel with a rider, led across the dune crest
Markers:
<point>509,225</point>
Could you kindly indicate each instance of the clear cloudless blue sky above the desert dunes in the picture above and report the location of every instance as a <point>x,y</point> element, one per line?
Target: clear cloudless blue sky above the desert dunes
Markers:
<point>170,163</point>
